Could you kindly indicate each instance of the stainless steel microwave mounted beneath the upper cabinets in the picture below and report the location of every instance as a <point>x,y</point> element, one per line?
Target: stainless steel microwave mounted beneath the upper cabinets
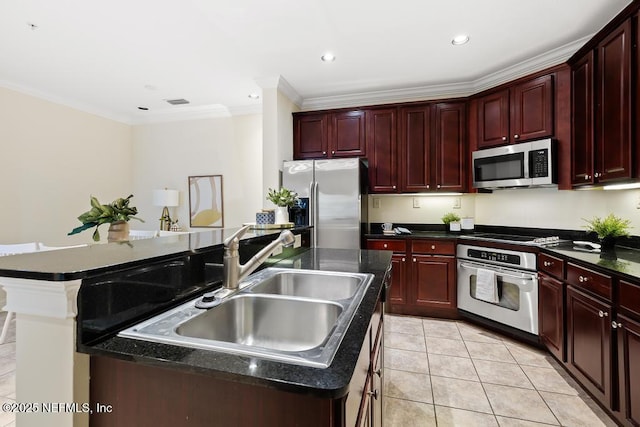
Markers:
<point>528,164</point>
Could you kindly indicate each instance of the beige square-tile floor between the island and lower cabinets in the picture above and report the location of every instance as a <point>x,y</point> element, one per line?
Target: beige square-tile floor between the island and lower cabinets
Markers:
<point>452,373</point>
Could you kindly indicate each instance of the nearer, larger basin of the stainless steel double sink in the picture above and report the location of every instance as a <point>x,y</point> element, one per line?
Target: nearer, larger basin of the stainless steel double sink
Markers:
<point>265,321</point>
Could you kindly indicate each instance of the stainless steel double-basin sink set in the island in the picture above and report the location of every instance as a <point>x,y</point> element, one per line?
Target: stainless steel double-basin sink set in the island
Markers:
<point>288,315</point>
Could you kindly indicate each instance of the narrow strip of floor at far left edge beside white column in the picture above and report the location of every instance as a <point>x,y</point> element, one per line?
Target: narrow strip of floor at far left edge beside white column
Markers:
<point>8,372</point>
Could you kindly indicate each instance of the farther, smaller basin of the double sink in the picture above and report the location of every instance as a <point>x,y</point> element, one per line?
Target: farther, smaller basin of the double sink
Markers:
<point>309,284</point>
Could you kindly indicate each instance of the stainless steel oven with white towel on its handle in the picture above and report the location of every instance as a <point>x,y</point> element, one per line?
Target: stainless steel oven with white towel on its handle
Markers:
<point>516,283</point>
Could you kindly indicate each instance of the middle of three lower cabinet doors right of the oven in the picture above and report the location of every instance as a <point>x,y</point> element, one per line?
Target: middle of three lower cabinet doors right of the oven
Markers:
<point>589,343</point>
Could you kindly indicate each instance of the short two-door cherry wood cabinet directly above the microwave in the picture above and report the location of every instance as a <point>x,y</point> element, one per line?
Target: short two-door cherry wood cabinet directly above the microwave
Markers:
<point>521,112</point>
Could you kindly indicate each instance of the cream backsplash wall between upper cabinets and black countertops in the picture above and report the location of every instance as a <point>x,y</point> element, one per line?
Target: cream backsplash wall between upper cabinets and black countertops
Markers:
<point>541,208</point>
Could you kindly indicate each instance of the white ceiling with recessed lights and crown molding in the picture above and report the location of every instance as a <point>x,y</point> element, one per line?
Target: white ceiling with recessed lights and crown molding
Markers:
<point>109,58</point>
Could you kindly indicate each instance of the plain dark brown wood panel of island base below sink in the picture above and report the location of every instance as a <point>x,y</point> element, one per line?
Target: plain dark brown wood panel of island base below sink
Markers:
<point>140,395</point>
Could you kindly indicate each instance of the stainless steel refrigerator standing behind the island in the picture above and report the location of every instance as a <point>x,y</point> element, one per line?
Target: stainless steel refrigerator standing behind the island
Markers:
<point>332,199</point>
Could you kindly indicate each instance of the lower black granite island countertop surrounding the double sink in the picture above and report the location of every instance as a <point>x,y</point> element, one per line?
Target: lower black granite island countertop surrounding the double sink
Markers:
<point>331,382</point>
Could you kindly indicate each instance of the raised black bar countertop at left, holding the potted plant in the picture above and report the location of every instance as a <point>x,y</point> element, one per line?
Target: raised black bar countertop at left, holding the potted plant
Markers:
<point>81,262</point>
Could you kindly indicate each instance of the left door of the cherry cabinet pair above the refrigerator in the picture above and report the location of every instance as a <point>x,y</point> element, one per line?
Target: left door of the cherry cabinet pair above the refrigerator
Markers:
<point>310,136</point>
